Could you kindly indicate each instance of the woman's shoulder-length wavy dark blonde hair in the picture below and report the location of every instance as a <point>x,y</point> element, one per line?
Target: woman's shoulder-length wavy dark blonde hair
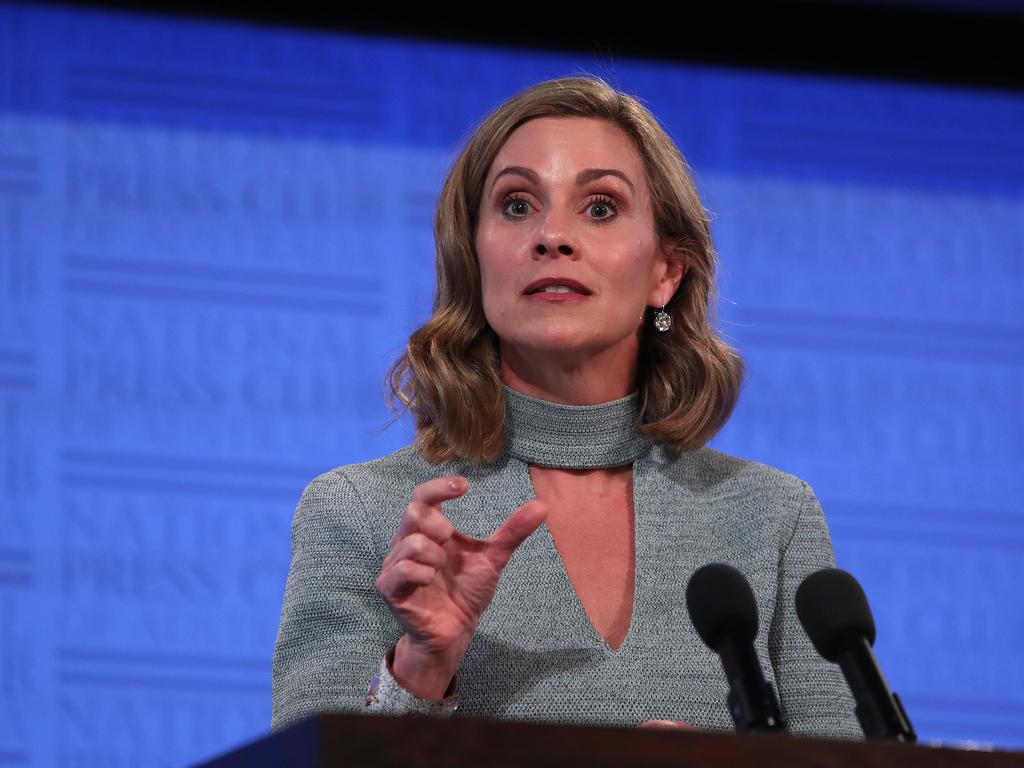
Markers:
<point>450,375</point>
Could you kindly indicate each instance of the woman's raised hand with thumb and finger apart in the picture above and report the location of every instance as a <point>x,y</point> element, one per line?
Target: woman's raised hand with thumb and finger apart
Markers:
<point>439,582</point>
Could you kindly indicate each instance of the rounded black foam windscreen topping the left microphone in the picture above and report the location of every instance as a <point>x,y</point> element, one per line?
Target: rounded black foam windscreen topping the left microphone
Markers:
<point>721,602</point>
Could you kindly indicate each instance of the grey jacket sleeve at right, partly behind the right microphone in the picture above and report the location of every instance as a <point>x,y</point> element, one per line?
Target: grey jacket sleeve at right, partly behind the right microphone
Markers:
<point>814,694</point>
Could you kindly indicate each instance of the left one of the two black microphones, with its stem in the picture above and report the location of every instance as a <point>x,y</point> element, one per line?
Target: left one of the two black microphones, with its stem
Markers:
<point>726,615</point>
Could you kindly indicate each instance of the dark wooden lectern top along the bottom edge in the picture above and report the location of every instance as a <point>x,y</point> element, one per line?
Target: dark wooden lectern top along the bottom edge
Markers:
<point>343,741</point>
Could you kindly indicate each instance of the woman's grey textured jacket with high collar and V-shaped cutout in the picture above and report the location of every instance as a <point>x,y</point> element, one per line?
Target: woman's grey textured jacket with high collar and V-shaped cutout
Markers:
<point>536,655</point>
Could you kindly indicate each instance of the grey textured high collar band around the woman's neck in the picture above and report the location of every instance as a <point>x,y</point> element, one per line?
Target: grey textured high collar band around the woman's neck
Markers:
<point>574,437</point>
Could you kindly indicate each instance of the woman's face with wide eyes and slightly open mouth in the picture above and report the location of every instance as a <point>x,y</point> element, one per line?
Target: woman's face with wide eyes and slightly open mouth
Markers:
<point>567,204</point>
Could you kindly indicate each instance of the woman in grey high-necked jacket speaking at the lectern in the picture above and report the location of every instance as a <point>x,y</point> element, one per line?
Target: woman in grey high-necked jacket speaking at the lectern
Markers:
<point>528,557</point>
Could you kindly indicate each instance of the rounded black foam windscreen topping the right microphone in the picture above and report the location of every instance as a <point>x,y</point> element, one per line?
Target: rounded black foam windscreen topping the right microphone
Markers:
<point>832,606</point>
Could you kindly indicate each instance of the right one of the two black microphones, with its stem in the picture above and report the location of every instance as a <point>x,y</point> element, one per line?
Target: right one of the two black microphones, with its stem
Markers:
<point>834,611</point>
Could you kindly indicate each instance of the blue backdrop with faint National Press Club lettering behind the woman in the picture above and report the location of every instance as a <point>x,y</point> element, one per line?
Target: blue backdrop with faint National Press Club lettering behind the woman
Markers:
<point>216,237</point>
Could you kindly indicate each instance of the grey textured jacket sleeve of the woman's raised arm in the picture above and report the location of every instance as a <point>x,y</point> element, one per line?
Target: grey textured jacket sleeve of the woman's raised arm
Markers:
<point>334,626</point>
